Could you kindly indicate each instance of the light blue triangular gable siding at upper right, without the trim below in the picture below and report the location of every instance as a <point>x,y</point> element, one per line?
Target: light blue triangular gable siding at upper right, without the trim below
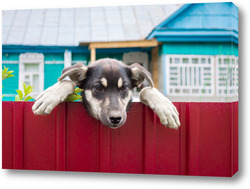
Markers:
<point>207,16</point>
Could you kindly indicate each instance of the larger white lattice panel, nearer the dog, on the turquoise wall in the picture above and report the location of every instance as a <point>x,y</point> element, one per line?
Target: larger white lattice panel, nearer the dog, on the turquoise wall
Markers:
<point>190,75</point>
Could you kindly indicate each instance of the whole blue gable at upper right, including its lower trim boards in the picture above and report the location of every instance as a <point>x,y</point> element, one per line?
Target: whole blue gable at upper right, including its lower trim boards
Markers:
<point>202,22</point>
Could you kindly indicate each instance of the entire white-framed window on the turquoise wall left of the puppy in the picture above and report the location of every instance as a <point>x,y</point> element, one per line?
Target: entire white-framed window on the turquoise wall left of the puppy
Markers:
<point>31,72</point>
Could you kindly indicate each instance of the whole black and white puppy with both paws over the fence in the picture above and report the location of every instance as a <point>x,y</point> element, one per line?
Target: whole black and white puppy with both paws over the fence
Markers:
<point>107,93</point>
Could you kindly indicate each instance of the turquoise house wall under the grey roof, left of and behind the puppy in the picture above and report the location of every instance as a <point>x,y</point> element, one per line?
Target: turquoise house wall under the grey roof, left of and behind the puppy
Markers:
<point>53,66</point>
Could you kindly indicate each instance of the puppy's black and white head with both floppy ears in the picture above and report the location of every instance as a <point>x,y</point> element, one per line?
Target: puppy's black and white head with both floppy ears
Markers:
<point>107,85</point>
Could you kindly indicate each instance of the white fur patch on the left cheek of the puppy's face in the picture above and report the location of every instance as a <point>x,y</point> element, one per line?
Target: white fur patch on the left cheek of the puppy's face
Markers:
<point>94,103</point>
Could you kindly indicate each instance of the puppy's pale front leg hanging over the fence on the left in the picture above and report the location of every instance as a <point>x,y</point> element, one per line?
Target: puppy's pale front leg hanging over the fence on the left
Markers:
<point>52,96</point>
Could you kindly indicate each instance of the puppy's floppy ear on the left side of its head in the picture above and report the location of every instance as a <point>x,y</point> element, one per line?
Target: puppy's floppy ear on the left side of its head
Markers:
<point>77,73</point>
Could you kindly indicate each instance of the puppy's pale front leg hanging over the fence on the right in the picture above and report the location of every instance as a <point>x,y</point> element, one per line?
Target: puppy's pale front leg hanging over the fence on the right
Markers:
<point>161,105</point>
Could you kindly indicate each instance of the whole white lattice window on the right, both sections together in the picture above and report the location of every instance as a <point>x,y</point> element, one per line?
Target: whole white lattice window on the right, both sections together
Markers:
<point>201,75</point>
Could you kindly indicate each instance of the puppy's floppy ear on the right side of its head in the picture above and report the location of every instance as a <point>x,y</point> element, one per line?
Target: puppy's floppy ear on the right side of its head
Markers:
<point>139,73</point>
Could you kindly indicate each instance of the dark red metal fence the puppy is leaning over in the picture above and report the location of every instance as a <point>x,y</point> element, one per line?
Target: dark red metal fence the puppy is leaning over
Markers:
<point>69,140</point>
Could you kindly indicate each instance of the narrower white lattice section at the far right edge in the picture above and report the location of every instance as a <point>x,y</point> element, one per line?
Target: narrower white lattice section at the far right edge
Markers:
<point>226,75</point>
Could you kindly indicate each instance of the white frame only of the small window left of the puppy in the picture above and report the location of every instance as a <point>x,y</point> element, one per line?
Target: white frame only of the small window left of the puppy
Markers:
<point>31,58</point>
